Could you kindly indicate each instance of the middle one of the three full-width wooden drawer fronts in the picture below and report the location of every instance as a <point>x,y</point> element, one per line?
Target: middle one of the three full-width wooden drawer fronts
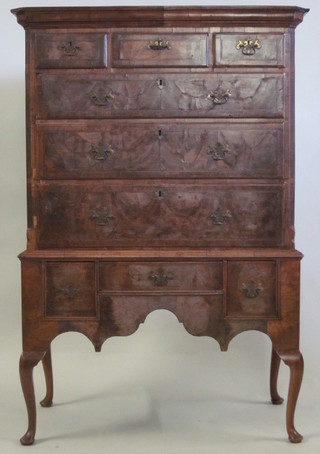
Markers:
<point>164,150</point>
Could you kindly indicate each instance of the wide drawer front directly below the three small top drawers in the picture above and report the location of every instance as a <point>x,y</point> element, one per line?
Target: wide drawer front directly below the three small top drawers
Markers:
<point>223,95</point>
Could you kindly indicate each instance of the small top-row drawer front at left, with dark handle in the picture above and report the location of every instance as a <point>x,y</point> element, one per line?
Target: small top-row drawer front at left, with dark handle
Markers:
<point>70,50</point>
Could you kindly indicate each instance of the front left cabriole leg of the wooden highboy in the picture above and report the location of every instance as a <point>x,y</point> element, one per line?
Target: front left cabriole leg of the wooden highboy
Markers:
<point>27,363</point>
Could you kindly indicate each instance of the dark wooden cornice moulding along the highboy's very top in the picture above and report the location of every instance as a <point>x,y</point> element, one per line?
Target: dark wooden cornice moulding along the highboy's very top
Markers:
<point>258,16</point>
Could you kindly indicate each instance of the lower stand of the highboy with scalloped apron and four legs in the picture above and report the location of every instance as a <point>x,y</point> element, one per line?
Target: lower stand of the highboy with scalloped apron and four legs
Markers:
<point>215,293</point>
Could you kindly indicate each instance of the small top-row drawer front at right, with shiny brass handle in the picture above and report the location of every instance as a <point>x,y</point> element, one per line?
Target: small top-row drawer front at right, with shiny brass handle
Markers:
<point>246,50</point>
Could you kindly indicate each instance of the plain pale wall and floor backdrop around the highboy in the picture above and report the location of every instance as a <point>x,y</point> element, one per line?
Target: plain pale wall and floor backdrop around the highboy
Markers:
<point>160,390</point>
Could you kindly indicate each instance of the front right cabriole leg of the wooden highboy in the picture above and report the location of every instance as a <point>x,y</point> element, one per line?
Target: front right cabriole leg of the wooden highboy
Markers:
<point>294,361</point>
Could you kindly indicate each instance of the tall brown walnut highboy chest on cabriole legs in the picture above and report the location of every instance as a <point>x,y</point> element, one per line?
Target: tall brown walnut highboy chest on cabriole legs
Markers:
<point>160,165</point>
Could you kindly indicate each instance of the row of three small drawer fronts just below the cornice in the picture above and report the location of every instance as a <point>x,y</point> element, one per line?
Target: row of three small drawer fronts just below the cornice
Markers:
<point>128,50</point>
